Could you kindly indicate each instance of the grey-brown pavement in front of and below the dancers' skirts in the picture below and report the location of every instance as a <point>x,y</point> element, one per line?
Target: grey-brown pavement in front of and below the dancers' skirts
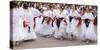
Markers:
<point>50,42</point>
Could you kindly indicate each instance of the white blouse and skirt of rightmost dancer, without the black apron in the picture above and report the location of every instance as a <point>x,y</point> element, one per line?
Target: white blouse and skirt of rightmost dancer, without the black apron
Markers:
<point>88,33</point>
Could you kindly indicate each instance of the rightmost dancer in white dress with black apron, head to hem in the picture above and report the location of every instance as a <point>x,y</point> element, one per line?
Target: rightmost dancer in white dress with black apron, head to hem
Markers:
<point>87,29</point>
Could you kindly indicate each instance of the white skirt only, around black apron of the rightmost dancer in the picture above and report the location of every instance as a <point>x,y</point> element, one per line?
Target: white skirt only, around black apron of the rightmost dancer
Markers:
<point>88,33</point>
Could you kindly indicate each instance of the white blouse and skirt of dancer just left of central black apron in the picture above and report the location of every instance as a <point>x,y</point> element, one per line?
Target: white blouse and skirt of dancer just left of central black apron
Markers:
<point>47,28</point>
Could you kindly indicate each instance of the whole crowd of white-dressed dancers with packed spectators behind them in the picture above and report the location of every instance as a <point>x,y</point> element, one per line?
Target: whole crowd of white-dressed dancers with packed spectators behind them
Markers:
<point>61,21</point>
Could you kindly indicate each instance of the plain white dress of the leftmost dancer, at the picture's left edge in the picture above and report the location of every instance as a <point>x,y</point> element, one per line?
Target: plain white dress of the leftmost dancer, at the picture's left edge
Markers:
<point>18,31</point>
